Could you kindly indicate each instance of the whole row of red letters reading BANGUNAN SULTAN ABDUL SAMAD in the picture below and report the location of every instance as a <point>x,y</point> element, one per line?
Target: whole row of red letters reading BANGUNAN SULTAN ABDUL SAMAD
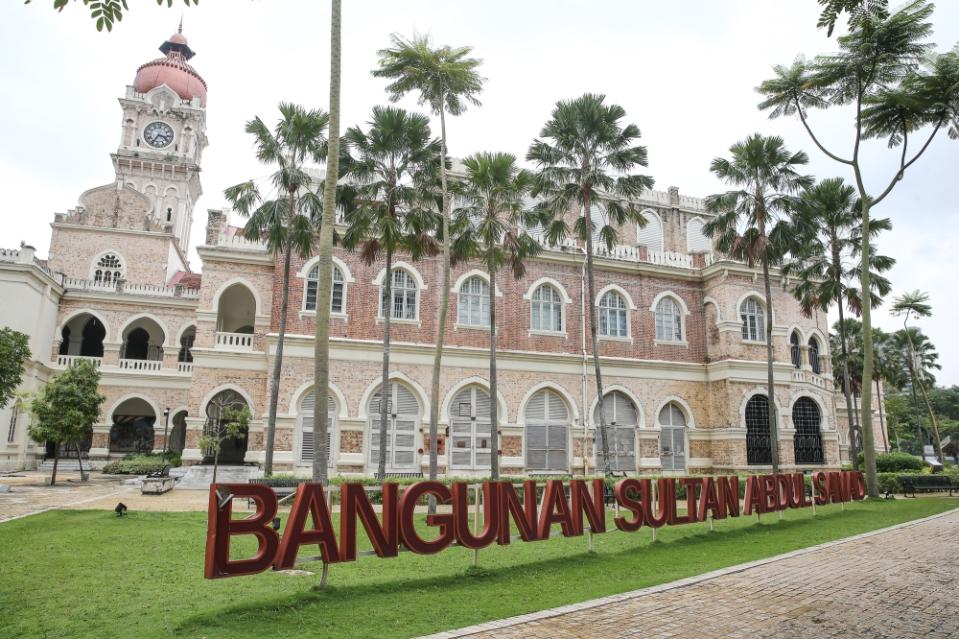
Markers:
<point>504,509</point>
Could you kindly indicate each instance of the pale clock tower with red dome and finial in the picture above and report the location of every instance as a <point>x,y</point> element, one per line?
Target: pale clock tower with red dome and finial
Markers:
<point>163,137</point>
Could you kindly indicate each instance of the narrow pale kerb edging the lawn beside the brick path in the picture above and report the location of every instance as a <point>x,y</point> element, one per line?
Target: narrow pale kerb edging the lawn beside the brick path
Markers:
<point>672,585</point>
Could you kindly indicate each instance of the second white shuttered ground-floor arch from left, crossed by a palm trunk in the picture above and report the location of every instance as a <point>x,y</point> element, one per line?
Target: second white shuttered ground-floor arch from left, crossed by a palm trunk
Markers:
<point>402,416</point>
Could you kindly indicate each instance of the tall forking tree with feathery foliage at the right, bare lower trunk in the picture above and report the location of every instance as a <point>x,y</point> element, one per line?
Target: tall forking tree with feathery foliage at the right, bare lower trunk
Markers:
<point>879,73</point>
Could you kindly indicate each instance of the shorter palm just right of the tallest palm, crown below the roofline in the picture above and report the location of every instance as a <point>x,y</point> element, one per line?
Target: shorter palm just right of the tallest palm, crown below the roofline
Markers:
<point>491,227</point>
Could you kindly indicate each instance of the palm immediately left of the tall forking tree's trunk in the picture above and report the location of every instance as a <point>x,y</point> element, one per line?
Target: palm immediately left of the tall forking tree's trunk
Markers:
<point>825,252</point>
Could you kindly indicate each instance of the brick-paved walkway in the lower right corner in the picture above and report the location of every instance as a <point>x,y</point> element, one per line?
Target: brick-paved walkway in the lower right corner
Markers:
<point>897,584</point>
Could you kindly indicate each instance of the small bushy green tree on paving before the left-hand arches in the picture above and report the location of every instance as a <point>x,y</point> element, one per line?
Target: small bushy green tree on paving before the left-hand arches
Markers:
<point>66,408</point>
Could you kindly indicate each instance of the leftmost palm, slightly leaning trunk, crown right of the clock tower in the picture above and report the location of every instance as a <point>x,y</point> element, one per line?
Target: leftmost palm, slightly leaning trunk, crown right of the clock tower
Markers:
<point>284,217</point>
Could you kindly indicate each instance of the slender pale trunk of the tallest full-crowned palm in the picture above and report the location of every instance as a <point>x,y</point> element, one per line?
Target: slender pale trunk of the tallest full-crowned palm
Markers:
<point>441,312</point>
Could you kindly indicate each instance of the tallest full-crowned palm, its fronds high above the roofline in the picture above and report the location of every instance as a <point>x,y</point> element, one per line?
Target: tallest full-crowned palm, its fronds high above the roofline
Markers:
<point>447,80</point>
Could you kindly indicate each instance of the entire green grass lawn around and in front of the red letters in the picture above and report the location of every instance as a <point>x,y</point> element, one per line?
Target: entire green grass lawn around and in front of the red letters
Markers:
<point>90,574</point>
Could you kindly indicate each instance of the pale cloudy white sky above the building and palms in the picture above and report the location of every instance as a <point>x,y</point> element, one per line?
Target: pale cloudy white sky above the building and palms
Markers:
<point>685,72</point>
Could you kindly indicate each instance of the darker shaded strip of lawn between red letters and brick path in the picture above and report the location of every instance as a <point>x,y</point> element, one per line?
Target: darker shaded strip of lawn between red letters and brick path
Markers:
<point>418,604</point>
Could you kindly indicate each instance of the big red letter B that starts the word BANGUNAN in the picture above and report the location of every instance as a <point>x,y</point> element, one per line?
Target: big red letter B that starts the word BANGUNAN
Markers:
<point>221,527</point>
